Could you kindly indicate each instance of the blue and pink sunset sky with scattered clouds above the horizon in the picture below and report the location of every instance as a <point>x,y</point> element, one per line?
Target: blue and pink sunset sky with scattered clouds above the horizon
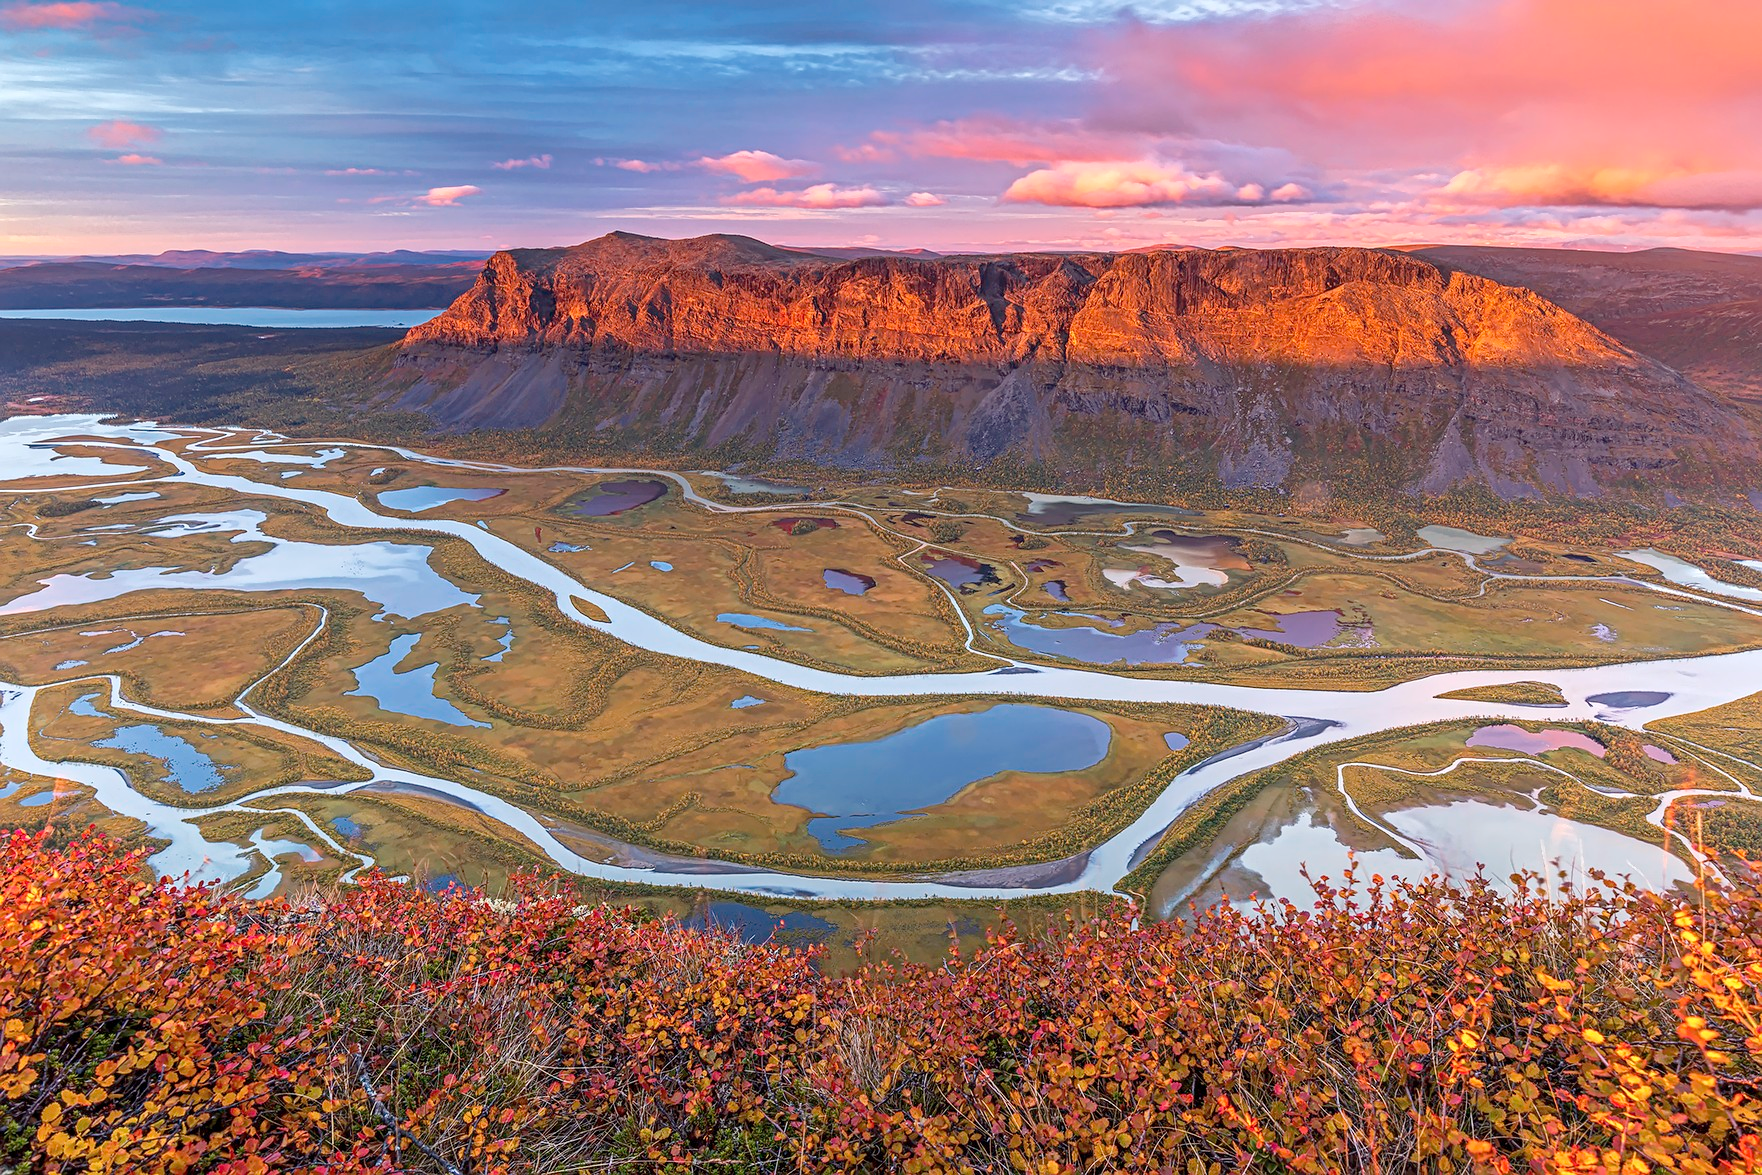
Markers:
<point>137,126</point>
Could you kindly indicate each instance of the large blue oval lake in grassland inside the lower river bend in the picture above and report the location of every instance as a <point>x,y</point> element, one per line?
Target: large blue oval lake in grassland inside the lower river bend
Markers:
<point>882,781</point>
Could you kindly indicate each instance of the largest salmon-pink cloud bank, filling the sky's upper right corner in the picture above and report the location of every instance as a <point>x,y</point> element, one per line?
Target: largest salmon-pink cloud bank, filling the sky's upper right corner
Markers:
<point>1548,101</point>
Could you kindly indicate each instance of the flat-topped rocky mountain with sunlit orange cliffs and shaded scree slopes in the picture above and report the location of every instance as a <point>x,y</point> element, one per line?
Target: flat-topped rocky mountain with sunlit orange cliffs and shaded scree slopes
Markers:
<point>1254,367</point>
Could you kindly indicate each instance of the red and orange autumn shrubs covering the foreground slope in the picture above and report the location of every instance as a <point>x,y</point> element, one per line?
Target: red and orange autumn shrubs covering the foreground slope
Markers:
<point>152,1028</point>
